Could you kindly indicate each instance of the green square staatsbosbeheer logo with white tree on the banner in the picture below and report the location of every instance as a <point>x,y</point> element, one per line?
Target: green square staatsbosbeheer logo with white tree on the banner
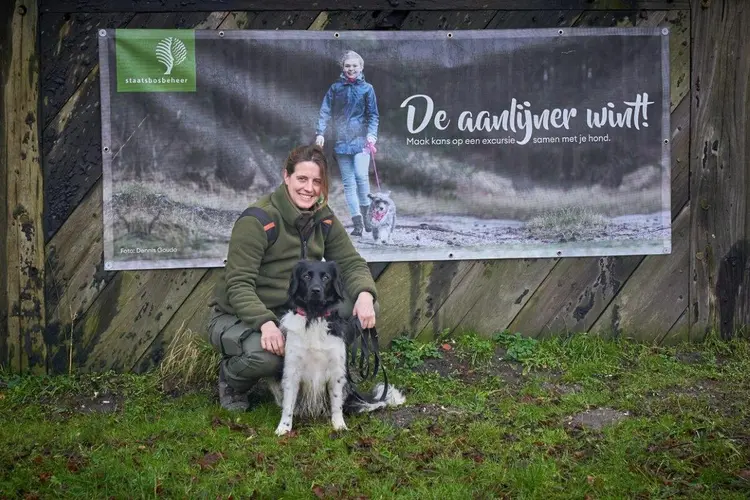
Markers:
<point>155,60</point>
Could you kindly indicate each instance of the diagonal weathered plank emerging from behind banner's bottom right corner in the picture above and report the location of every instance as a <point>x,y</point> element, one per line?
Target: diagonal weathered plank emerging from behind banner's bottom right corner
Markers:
<point>656,294</point>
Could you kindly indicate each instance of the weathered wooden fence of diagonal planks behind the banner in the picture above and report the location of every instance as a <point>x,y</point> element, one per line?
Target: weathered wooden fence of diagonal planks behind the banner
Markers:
<point>60,309</point>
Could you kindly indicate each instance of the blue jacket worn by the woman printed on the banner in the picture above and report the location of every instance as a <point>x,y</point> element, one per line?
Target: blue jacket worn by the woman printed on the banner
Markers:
<point>353,110</point>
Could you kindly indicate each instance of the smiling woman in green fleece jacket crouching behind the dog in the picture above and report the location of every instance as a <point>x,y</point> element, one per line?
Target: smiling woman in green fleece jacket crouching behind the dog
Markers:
<point>250,294</point>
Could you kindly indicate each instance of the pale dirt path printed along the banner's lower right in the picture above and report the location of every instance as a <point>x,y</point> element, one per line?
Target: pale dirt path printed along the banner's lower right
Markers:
<point>439,231</point>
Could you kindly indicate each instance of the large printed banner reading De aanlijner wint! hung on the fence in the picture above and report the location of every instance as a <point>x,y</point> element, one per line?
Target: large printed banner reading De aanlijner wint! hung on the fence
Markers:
<point>454,145</point>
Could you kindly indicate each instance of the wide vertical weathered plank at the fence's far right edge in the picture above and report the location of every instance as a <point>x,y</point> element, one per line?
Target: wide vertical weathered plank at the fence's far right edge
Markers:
<point>720,168</point>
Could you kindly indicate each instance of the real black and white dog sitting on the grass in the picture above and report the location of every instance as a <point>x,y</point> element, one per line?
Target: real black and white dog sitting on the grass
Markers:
<point>316,378</point>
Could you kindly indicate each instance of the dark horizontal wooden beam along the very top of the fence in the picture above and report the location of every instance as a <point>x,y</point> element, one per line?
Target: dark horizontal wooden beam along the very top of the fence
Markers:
<point>205,5</point>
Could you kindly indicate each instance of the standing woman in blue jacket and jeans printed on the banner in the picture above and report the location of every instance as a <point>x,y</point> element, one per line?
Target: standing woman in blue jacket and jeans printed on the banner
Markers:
<point>351,110</point>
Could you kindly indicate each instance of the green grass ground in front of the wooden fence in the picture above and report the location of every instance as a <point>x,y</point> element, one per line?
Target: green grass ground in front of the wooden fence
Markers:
<point>500,419</point>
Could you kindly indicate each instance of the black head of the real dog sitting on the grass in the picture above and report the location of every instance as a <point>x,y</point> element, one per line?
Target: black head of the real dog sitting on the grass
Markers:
<point>315,287</point>
